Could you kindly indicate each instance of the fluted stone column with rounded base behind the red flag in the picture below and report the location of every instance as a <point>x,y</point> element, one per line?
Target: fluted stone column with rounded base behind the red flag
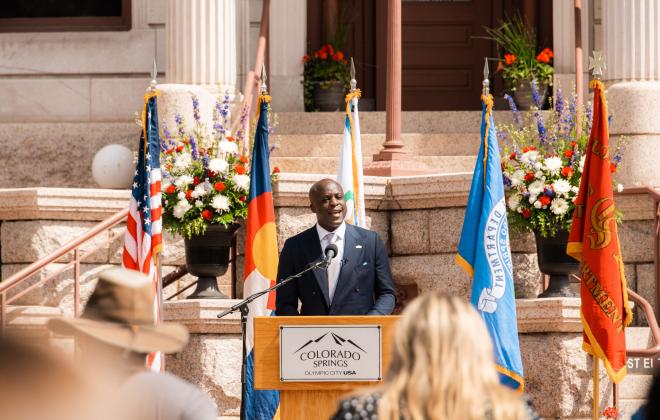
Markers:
<point>631,36</point>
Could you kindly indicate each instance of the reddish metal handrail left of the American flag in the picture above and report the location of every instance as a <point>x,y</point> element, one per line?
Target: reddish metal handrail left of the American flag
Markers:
<point>74,245</point>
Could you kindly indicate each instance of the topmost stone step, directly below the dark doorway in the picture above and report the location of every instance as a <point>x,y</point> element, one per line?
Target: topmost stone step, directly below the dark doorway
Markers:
<point>374,122</point>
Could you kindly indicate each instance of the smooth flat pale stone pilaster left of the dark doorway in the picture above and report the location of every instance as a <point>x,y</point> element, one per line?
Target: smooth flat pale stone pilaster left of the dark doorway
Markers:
<point>287,35</point>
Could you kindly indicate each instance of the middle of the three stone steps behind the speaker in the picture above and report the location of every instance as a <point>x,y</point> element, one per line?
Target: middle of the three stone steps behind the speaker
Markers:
<point>328,145</point>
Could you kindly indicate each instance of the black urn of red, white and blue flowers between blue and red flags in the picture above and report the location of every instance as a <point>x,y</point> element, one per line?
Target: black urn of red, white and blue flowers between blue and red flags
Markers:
<point>543,158</point>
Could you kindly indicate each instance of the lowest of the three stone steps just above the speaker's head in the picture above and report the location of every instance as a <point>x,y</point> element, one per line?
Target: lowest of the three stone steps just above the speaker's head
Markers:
<point>330,165</point>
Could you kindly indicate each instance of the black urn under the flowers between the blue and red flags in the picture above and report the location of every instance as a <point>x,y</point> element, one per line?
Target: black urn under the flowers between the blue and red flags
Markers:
<point>553,261</point>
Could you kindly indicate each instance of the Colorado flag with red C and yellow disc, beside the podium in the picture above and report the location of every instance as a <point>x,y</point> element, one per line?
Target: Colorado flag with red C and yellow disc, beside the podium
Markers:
<point>261,259</point>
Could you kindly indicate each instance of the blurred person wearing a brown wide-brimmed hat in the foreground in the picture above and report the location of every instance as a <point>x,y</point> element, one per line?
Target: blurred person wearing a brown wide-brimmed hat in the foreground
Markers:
<point>115,333</point>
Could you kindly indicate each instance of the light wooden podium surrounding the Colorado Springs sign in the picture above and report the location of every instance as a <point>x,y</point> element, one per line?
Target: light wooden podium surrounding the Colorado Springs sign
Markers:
<point>308,400</point>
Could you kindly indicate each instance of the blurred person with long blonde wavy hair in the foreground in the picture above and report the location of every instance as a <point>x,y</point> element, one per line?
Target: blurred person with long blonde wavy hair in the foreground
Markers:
<point>442,368</point>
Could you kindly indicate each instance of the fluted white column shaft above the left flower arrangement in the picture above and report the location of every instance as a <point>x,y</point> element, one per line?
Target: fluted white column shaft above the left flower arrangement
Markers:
<point>201,43</point>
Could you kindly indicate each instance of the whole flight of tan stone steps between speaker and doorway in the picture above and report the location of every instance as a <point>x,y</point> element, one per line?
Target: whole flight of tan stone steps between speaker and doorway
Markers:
<point>446,141</point>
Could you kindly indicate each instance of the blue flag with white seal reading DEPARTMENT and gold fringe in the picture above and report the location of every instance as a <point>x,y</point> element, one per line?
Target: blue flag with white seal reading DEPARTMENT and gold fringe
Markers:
<point>484,253</point>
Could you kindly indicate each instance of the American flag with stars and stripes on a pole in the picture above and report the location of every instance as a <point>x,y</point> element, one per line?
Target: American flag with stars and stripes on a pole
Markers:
<point>144,226</point>
